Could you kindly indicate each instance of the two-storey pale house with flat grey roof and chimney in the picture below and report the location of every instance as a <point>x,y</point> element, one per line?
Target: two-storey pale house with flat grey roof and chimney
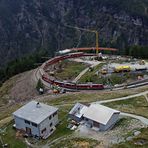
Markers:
<point>36,119</point>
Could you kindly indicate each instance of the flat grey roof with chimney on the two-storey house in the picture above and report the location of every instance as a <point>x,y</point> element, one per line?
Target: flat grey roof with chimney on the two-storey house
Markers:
<point>35,112</point>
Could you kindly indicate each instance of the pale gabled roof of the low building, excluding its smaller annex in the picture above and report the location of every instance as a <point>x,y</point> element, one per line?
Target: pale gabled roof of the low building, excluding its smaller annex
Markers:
<point>99,113</point>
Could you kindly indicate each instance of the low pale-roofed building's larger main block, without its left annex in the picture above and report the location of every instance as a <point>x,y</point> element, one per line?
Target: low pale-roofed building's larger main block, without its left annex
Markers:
<point>101,117</point>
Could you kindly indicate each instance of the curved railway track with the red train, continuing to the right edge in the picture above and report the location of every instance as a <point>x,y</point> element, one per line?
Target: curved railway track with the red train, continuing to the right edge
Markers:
<point>74,86</point>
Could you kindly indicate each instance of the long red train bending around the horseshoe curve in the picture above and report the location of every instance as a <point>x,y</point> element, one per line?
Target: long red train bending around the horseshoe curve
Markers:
<point>66,84</point>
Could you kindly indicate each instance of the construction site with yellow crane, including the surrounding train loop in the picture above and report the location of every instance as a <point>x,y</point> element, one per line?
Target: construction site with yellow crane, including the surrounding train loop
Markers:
<point>90,68</point>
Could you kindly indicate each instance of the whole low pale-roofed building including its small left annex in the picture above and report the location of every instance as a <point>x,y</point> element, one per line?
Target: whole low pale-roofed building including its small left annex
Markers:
<point>95,116</point>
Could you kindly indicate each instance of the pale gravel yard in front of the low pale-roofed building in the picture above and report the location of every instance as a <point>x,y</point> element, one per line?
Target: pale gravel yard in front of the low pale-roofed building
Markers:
<point>122,130</point>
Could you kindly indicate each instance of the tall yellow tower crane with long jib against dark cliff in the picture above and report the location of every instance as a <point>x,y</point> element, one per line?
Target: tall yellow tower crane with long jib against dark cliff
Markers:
<point>88,30</point>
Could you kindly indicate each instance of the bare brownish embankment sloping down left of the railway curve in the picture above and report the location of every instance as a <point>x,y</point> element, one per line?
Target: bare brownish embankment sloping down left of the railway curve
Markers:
<point>18,89</point>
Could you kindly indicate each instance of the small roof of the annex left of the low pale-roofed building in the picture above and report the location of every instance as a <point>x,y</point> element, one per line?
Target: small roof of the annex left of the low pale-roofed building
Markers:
<point>78,110</point>
